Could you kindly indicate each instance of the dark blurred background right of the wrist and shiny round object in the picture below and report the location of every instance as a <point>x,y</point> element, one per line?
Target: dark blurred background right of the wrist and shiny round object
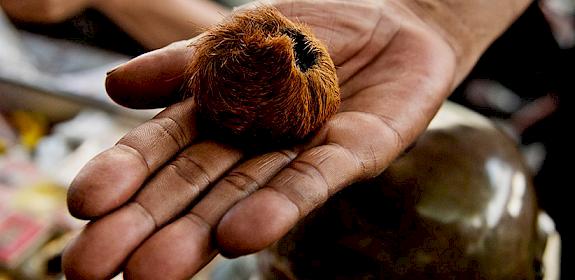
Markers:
<point>525,82</point>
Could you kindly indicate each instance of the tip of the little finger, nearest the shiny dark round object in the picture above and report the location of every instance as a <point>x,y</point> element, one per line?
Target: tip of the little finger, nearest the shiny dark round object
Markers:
<point>255,223</point>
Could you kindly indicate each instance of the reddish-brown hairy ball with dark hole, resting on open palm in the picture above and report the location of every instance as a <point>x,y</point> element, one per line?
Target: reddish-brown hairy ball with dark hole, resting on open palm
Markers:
<point>260,80</point>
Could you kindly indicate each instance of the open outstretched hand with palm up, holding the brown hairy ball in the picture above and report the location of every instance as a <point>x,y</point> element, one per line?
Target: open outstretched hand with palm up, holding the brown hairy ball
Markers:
<point>164,201</point>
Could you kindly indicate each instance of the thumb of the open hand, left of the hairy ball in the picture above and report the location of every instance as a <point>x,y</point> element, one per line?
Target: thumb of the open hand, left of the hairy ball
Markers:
<point>152,80</point>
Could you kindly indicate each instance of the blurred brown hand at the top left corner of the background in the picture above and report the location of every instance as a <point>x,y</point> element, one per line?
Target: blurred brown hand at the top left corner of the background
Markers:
<point>43,11</point>
